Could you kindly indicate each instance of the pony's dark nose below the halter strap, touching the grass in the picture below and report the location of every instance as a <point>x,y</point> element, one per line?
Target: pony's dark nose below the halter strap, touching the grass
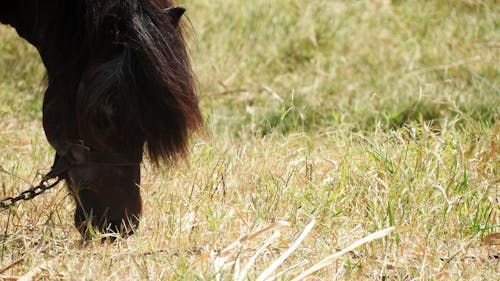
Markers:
<point>107,199</point>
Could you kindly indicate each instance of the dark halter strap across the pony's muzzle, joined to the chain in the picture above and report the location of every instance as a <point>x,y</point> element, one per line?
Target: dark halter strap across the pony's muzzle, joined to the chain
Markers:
<point>76,155</point>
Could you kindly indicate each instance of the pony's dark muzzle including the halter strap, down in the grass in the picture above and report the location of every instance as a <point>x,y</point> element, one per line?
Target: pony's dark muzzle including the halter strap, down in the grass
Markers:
<point>105,186</point>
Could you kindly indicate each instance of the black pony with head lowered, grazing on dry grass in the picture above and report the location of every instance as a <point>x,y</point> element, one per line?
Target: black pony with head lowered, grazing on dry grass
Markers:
<point>119,82</point>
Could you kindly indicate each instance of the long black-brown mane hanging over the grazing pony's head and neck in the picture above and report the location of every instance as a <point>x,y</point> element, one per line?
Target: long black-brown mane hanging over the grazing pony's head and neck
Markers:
<point>138,57</point>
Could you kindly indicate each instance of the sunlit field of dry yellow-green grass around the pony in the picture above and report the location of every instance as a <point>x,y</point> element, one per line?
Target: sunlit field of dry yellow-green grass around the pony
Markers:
<point>348,116</point>
